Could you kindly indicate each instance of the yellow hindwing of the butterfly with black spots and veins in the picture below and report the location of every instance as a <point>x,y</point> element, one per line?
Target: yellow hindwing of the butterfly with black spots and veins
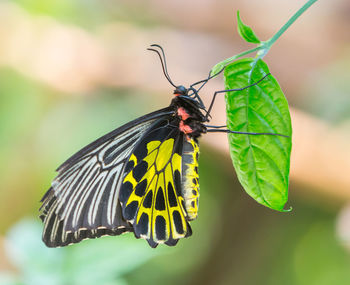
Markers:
<point>151,194</point>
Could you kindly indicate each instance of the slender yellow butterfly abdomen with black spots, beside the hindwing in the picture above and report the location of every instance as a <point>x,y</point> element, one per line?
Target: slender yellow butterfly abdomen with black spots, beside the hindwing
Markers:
<point>190,185</point>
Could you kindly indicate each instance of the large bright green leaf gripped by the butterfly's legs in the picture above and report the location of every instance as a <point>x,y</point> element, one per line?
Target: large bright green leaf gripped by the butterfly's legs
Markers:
<point>261,161</point>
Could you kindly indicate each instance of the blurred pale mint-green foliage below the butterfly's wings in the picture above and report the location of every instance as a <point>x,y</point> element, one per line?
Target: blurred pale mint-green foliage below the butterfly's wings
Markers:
<point>101,261</point>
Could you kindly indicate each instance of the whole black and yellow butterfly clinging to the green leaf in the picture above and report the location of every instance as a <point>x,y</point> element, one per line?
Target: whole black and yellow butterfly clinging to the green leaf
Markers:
<point>142,177</point>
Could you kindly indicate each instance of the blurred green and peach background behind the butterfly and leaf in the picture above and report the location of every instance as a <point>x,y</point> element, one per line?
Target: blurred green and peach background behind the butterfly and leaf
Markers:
<point>70,71</point>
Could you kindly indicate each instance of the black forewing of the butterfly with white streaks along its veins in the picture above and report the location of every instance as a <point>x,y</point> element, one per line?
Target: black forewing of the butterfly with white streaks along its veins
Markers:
<point>83,201</point>
